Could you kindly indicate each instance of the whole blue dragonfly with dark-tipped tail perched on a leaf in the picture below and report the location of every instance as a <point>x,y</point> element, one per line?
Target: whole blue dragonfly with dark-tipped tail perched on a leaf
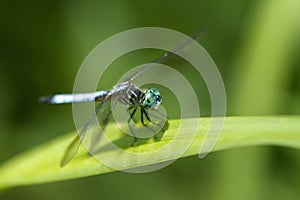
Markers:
<point>126,93</point>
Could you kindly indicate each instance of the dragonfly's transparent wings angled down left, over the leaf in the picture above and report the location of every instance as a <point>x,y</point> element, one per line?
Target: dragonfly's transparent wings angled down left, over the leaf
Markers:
<point>102,115</point>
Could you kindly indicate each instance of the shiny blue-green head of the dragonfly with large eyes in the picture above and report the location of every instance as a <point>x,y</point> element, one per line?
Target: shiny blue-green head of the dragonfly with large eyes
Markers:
<point>152,98</point>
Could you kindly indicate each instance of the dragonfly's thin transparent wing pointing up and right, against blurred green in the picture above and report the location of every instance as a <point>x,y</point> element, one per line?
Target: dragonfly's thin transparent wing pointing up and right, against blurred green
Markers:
<point>169,55</point>
